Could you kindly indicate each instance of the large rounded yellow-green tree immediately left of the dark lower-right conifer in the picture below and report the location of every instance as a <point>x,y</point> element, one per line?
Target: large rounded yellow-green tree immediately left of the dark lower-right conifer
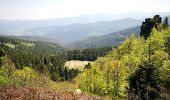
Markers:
<point>106,77</point>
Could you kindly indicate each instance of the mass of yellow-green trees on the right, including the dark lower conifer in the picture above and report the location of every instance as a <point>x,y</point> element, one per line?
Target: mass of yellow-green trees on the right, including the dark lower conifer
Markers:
<point>143,66</point>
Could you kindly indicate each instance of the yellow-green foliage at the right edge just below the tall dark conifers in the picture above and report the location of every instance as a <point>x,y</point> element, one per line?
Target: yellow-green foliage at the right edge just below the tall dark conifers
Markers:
<point>156,47</point>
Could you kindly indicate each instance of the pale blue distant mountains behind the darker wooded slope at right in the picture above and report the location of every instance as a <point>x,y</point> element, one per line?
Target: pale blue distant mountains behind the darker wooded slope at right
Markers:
<point>74,28</point>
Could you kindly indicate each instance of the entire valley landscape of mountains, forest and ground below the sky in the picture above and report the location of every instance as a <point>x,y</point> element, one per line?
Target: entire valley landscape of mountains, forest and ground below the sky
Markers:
<point>87,57</point>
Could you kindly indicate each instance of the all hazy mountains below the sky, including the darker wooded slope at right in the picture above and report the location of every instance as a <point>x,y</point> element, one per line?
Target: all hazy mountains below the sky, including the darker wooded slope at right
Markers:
<point>86,30</point>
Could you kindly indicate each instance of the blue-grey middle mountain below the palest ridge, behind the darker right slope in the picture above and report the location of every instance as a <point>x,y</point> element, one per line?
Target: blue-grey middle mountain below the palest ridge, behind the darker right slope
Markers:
<point>73,32</point>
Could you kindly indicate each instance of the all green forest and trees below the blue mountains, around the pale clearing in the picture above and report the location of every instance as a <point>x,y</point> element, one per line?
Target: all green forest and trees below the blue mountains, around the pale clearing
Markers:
<point>138,69</point>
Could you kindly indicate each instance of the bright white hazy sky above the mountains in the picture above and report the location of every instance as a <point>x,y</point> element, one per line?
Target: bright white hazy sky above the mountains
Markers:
<point>50,9</point>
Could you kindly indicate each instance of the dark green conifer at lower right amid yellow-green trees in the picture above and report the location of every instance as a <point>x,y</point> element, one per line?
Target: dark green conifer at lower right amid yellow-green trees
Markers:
<point>145,83</point>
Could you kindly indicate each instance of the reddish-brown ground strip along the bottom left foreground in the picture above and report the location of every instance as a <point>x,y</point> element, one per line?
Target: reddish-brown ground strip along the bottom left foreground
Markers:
<point>12,93</point>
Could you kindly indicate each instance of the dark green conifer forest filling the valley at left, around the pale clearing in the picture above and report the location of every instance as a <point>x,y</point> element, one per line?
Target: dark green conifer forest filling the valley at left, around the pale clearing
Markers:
<point>47,58</point>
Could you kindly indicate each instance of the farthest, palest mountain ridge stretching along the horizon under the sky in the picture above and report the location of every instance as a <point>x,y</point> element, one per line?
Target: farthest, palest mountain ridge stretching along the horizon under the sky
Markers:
<point>17,27</point>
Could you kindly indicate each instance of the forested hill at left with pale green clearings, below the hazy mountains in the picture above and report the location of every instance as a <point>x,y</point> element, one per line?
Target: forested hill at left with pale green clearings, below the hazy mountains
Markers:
<point>15,43</point>
